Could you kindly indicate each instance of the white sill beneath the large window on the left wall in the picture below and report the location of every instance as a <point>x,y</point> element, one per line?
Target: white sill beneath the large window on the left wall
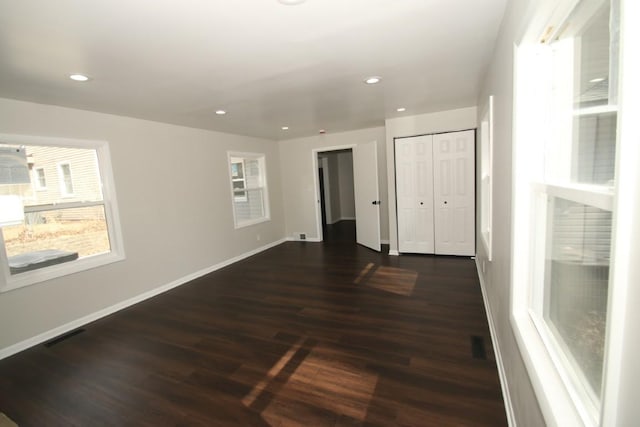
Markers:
<point>32,277</point>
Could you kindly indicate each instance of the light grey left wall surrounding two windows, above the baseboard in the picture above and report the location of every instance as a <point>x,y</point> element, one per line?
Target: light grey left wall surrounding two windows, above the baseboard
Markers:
<point>175,207</point>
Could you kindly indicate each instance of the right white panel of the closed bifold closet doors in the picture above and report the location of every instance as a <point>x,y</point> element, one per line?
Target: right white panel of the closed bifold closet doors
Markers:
<point>454,193</point>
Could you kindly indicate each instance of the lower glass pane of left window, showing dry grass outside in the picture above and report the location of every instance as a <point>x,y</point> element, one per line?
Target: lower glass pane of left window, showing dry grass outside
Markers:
<point>55,236</point>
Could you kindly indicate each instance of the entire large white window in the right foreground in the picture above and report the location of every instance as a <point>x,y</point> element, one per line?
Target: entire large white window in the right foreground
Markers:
<point>564,198</point>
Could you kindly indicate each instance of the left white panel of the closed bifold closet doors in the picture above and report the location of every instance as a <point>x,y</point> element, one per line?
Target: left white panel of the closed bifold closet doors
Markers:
<point>414,193</point>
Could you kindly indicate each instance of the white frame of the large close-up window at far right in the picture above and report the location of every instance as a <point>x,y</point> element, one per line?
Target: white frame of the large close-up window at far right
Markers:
<point>559,401</point>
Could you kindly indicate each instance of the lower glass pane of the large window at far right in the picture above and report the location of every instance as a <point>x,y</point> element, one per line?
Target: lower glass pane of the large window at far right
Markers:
<point>577,284</point>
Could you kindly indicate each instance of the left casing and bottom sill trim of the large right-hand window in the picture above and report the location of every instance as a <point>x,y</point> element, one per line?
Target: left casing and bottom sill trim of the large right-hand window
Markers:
<point>557,399</point>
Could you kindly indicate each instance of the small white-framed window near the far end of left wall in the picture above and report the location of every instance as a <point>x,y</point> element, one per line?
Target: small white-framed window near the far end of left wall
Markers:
<point>248,188</point>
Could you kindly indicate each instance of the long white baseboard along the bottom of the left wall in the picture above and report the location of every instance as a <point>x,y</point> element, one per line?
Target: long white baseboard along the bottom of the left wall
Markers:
<point>74,324</point>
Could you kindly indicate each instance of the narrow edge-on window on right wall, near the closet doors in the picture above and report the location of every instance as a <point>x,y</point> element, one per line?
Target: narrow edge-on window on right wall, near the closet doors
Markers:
<point>486,172</point>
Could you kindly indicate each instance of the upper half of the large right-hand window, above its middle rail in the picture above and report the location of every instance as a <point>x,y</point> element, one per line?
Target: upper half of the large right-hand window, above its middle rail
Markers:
<point>585,63</point>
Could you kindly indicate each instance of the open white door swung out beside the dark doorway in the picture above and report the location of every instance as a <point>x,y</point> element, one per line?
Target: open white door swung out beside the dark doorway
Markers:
<point>365,177</point>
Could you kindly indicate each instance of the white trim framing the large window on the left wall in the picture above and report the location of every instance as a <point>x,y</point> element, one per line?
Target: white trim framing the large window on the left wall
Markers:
<point>11,282</point>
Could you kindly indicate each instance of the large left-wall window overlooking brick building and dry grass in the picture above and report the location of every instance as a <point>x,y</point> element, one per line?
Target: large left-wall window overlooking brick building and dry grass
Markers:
<point>63,228</point>
